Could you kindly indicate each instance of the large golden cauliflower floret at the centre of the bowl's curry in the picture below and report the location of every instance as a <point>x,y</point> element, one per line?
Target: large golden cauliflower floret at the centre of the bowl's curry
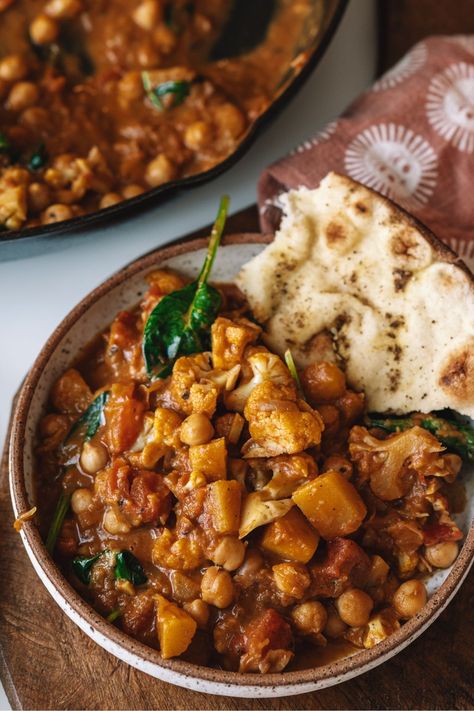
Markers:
<point>278,422</point>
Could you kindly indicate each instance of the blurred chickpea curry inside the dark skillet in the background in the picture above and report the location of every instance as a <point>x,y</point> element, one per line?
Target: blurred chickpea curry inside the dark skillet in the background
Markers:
<point>102,101</point>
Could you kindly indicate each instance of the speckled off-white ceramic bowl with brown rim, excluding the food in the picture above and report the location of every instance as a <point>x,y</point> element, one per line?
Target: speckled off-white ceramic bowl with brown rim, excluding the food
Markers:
<point>90,317</point>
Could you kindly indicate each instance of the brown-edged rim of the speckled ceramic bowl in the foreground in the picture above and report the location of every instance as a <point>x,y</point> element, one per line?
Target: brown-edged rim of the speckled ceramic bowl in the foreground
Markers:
<point>340,669</point>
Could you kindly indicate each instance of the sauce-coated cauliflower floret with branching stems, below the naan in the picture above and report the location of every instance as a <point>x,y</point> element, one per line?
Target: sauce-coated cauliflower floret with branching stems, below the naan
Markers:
<point>391,464</point>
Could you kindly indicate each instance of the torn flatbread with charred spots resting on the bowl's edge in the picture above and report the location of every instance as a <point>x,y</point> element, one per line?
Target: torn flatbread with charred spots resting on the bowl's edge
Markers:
<point>352,277</point>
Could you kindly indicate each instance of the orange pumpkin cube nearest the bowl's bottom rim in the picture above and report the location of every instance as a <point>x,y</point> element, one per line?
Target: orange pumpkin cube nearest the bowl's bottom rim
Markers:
<point>175,628</point>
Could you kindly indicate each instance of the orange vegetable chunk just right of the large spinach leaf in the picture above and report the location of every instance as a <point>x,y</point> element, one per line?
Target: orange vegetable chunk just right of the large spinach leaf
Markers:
<point>229,340</point>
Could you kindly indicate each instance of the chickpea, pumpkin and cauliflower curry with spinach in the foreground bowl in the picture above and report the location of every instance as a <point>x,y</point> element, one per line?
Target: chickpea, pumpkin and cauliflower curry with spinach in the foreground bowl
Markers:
<point>222,505</point>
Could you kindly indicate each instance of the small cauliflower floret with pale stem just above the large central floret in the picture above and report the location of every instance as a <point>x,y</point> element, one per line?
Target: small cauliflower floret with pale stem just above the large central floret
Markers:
<point>261,365</point>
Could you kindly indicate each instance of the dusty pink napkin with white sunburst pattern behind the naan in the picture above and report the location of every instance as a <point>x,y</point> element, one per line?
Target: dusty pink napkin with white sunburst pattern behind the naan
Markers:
<point>411,137</point>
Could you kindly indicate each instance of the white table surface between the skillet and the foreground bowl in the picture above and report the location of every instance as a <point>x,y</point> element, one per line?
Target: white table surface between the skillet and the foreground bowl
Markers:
<point>37,292</point>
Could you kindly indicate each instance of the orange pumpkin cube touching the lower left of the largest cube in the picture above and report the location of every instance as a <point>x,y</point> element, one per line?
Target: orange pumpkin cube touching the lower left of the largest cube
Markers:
<point>291,537</point>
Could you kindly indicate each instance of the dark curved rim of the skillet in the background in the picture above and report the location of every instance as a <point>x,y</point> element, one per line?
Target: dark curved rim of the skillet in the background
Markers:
<point>146,200</point>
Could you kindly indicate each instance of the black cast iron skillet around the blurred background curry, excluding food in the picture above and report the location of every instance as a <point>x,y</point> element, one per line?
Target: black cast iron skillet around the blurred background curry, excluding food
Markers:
<point>312,46</point>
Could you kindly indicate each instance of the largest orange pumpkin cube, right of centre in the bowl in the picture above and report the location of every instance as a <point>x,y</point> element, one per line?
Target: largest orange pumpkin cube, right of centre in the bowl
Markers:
<point>332,504</point>
